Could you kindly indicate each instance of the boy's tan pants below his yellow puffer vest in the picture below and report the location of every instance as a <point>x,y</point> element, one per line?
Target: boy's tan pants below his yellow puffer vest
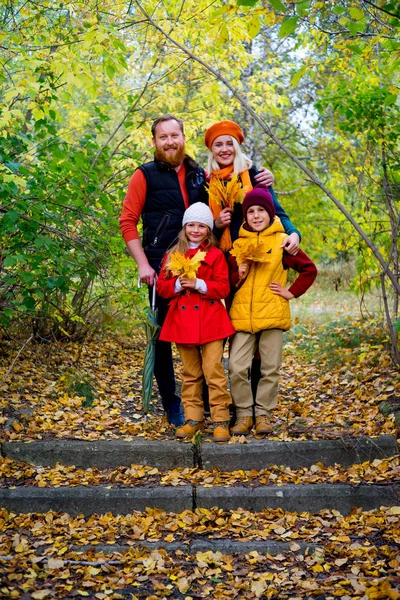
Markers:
<point>270,343</point>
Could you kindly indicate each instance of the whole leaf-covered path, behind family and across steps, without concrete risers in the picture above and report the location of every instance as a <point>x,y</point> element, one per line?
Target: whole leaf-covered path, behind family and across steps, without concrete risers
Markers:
<point>332,385</point>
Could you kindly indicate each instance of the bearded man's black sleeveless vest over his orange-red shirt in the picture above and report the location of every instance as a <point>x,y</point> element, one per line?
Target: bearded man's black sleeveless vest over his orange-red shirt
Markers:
<point>164,205</point>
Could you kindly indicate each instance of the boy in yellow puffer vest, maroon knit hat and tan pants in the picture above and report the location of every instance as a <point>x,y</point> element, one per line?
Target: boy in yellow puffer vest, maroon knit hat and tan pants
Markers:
<point>260,309</point>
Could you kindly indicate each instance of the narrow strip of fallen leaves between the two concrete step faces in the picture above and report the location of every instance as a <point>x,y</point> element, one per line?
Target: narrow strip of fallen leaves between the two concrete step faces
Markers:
<point>16,473</point>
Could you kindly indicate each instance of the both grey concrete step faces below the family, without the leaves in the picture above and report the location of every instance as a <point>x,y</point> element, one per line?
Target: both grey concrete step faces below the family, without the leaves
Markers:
<point>254,454</point>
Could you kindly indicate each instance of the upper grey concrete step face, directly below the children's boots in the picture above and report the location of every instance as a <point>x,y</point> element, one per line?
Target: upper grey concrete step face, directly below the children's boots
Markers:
<point>170,454</point>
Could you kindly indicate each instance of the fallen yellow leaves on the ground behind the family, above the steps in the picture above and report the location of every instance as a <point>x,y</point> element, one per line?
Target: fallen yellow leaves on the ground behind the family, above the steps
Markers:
<point>317,400</point>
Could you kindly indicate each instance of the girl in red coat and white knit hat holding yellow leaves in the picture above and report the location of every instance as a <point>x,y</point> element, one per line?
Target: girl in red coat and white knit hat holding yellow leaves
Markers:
<point>197,321</point>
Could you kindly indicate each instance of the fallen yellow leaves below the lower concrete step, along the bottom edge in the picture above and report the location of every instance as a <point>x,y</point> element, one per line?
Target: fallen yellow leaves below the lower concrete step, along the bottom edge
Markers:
<point>356,556</point>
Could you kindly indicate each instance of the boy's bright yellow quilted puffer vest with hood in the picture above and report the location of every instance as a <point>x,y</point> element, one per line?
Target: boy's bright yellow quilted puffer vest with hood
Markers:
<point>254,306</point>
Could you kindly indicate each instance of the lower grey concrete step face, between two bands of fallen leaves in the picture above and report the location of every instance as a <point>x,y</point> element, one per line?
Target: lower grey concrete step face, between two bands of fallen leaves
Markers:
<point>292,497</point>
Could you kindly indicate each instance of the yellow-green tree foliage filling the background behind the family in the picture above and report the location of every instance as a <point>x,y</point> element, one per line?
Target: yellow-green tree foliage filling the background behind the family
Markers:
<point>80,84</point>
